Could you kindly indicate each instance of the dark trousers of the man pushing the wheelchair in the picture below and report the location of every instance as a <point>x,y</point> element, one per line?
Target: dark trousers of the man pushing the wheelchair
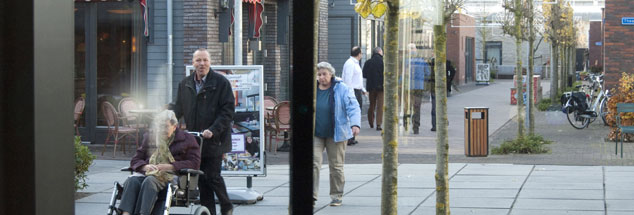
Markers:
<point>212,183</point>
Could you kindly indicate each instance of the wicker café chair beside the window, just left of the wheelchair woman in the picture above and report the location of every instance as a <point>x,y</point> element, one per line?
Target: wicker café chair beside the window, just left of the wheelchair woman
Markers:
<point>115,130</point>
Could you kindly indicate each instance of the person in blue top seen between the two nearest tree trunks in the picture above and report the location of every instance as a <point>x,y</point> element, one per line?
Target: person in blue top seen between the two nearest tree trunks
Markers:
<point>419,70</point>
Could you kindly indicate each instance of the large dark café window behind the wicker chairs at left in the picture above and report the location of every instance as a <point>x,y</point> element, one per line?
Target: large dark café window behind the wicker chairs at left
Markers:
<point>116,34</point>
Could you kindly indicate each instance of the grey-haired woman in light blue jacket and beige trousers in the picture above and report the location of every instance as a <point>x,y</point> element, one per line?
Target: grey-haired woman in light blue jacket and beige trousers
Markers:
<point>337,119</point>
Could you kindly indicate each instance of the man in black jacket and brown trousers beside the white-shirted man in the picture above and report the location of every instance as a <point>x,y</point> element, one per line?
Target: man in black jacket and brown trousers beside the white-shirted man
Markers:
<point>373,73</point>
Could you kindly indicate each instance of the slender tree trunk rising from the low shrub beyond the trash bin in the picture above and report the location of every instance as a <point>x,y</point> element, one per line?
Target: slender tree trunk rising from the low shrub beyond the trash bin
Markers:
<point>531,61</point>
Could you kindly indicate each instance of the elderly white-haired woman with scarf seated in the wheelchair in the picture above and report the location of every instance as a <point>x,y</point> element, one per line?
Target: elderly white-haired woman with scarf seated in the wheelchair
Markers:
<point>165,153</point>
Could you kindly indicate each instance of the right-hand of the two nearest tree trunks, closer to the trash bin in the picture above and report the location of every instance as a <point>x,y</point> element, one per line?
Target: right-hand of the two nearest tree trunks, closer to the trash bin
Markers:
<point>442,143</point>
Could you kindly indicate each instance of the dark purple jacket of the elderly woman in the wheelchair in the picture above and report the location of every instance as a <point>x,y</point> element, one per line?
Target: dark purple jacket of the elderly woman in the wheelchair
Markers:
<point>184,148</point>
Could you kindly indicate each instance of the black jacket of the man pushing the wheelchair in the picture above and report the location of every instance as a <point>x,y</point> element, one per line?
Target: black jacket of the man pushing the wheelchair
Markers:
<point>212,109</point>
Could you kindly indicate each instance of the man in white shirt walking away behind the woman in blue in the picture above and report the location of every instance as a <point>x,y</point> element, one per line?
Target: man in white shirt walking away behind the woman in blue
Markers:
<point>352,75</point>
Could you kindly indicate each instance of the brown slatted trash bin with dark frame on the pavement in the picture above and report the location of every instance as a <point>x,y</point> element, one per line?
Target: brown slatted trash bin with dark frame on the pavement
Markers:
<point>476,131</point>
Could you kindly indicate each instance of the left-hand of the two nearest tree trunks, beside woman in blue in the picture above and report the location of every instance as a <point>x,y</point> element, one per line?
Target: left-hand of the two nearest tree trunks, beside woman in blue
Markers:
<point>389,188</point>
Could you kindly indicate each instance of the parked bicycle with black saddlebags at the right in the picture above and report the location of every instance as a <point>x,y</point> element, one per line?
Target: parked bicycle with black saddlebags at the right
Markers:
<point>582,107</point>
